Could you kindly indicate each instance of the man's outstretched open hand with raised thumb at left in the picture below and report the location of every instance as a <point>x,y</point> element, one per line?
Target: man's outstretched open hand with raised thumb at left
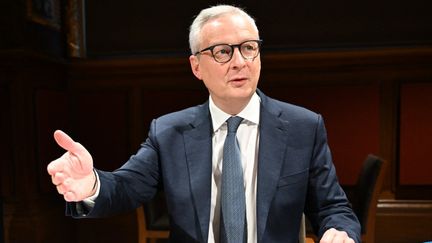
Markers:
<point>72,173</point>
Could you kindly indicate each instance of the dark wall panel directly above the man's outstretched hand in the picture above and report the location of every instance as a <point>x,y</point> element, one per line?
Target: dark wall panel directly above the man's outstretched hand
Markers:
<point>100,121</point>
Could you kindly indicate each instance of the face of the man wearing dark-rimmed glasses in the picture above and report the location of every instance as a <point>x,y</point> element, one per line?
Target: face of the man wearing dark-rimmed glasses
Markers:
<point>235,81</point>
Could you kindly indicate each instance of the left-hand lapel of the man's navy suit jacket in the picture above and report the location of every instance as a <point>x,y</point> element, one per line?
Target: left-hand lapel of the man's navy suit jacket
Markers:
<point>198,146</point>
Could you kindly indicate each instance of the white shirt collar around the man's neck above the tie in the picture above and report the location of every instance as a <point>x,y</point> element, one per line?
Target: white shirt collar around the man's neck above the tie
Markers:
<point>250,113</point>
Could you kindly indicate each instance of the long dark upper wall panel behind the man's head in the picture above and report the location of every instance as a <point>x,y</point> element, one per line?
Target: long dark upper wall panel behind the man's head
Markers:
<point>160,27</point>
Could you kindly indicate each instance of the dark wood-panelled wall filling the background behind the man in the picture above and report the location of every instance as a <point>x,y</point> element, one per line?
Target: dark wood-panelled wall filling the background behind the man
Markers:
<point>101,70</point>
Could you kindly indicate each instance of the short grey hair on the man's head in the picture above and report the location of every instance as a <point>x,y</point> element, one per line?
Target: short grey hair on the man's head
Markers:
<point>209,14</point>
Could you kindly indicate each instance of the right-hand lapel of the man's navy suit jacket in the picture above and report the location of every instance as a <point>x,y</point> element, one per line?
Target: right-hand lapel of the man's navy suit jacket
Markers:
<point>272,147</point>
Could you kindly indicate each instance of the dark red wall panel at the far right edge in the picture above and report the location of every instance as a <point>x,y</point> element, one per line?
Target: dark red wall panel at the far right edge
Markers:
<point>415,165</point>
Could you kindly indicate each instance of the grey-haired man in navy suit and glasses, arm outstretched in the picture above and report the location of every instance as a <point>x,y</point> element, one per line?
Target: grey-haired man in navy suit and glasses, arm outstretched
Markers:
<point>284,158</point>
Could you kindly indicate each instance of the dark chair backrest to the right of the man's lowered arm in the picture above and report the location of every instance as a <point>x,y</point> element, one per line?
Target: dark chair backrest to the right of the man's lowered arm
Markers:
<point>369,186</point>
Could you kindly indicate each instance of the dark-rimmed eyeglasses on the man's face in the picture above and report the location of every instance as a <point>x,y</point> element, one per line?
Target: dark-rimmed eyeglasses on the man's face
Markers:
<point>223,53</point>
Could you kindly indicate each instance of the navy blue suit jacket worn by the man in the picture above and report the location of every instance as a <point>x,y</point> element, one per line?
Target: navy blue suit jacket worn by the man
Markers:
<point>295,175</point>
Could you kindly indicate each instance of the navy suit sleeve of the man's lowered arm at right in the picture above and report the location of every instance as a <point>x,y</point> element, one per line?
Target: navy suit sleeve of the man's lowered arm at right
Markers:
<point>327,205</point>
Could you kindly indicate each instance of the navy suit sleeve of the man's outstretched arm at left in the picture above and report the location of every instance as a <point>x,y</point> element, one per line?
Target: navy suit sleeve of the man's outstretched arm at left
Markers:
<point>126,188</point>
